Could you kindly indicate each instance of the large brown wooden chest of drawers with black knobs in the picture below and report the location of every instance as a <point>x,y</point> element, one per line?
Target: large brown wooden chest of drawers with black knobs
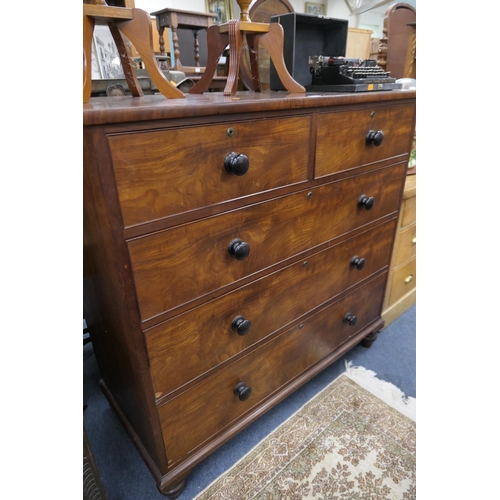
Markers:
<point>234,247</point>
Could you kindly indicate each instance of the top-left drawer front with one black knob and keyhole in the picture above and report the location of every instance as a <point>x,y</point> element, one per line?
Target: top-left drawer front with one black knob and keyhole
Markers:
<point>166,172</point>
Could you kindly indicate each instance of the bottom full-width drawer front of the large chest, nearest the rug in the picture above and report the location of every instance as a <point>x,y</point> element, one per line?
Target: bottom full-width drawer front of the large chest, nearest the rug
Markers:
<point>208,408</point>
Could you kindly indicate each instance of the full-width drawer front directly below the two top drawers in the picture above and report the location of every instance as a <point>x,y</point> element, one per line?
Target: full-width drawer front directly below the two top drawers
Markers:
<point>176,266</point>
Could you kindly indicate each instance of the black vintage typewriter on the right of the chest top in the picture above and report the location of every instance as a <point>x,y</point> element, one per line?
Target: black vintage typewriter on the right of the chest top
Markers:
<point>341,74</point>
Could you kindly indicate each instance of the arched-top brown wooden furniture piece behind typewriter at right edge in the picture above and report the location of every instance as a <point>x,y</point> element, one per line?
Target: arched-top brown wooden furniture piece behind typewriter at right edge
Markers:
<point>396,37</point>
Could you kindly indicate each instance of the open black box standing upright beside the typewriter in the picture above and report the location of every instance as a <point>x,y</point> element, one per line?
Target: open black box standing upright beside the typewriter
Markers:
<point>307,35</point>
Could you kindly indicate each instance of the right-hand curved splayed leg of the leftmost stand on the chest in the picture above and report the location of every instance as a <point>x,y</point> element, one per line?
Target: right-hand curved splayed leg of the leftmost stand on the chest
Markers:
<point>135,30</point>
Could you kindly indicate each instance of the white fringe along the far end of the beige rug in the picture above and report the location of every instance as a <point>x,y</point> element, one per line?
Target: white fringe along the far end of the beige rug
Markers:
<point>383,390</point>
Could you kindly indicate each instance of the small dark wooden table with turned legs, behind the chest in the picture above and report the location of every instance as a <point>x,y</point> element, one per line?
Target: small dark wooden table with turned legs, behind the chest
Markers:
<point>183,19</point>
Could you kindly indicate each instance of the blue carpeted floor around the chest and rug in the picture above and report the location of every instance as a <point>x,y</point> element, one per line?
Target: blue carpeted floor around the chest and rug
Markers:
<point>125,476</point>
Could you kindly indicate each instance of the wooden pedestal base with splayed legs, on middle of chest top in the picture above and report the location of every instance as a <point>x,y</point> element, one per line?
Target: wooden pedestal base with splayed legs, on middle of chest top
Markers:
<point>269,35</point>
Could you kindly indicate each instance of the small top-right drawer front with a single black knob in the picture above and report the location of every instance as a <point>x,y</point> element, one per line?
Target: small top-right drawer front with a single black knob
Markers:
<point>341,138</point>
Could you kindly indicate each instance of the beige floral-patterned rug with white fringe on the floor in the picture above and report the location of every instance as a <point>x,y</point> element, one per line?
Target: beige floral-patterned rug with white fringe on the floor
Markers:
<point>346,443</point>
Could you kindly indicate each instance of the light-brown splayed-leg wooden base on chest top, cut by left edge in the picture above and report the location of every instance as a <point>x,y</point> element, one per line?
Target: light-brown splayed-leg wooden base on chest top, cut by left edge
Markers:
<point>135,24</point>
